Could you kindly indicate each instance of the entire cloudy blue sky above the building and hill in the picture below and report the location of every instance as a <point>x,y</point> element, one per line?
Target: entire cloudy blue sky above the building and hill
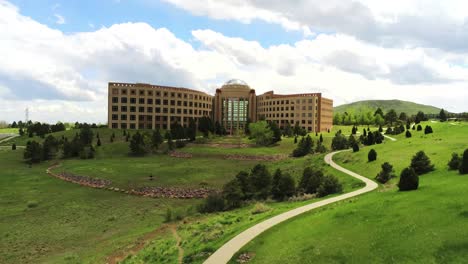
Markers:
<point>56,57</point>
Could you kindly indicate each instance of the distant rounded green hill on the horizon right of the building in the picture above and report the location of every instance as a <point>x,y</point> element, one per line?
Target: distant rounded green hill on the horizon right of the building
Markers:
<point>399,106</point>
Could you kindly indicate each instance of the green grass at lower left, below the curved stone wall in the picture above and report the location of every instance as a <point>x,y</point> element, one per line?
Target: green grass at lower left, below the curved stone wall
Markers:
<point>70,223</point>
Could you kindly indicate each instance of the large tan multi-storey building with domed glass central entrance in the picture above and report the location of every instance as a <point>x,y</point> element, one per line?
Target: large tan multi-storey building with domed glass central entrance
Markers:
<point>145,106</point>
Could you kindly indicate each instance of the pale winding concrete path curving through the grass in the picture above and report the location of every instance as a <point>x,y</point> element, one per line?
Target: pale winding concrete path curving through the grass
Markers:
<point>225,253</point>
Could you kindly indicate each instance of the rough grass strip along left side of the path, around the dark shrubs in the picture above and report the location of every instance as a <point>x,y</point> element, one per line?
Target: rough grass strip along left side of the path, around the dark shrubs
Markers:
<point>205,233</point>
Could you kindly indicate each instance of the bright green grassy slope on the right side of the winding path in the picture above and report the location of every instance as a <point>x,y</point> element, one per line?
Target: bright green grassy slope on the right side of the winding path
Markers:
<point>424,226</point>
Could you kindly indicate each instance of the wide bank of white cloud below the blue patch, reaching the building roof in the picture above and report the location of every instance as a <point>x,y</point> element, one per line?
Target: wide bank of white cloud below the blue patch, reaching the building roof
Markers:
<point>64,76</point>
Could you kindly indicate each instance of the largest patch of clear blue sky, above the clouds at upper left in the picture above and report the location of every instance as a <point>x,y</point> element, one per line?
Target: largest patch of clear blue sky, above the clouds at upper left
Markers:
<point>82,15</point>
